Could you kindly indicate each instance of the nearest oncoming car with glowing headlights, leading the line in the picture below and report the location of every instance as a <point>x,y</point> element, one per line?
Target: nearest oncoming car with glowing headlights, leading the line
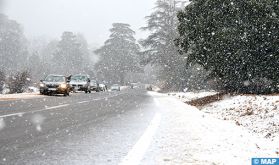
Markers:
<point>55,84</point>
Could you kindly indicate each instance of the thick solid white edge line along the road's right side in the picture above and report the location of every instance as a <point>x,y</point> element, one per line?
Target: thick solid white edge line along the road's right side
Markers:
<point>136,154</point>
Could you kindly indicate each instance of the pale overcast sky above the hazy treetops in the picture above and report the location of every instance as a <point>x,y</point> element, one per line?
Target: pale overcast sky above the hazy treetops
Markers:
<point>93,18</point>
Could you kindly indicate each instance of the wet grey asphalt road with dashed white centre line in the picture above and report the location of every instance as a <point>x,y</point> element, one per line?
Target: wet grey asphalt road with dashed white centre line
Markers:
<point>97,128</point>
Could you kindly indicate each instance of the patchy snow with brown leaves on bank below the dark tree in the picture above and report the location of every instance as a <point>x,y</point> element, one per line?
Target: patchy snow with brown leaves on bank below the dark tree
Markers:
<point>259,114</point>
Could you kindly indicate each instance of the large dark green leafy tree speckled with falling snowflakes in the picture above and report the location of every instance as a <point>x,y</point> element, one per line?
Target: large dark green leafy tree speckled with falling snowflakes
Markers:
<point>237,41</point>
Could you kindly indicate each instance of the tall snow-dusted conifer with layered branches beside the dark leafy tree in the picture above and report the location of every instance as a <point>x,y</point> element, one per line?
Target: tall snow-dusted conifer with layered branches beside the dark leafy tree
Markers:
<point>160,48</point>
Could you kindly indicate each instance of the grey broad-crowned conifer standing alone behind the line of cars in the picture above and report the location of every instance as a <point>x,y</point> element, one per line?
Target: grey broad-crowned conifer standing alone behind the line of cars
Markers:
<point>118,55</point>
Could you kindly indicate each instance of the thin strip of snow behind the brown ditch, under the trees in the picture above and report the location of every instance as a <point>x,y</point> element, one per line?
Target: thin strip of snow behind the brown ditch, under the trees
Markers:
<point>188,96</point>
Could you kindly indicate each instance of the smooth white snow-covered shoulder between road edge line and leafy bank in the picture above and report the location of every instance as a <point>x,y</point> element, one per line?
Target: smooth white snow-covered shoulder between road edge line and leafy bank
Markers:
<point>190,136</point>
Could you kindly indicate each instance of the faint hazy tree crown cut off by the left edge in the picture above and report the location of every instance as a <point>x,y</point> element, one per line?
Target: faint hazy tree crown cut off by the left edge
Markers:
<point>13,50</point>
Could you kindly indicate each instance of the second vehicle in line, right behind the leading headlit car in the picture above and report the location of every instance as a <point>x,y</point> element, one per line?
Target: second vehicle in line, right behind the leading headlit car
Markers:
<point>80,82</point>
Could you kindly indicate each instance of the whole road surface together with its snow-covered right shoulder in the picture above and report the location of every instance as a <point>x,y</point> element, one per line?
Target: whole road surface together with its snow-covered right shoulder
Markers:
<point>126,127</point>
